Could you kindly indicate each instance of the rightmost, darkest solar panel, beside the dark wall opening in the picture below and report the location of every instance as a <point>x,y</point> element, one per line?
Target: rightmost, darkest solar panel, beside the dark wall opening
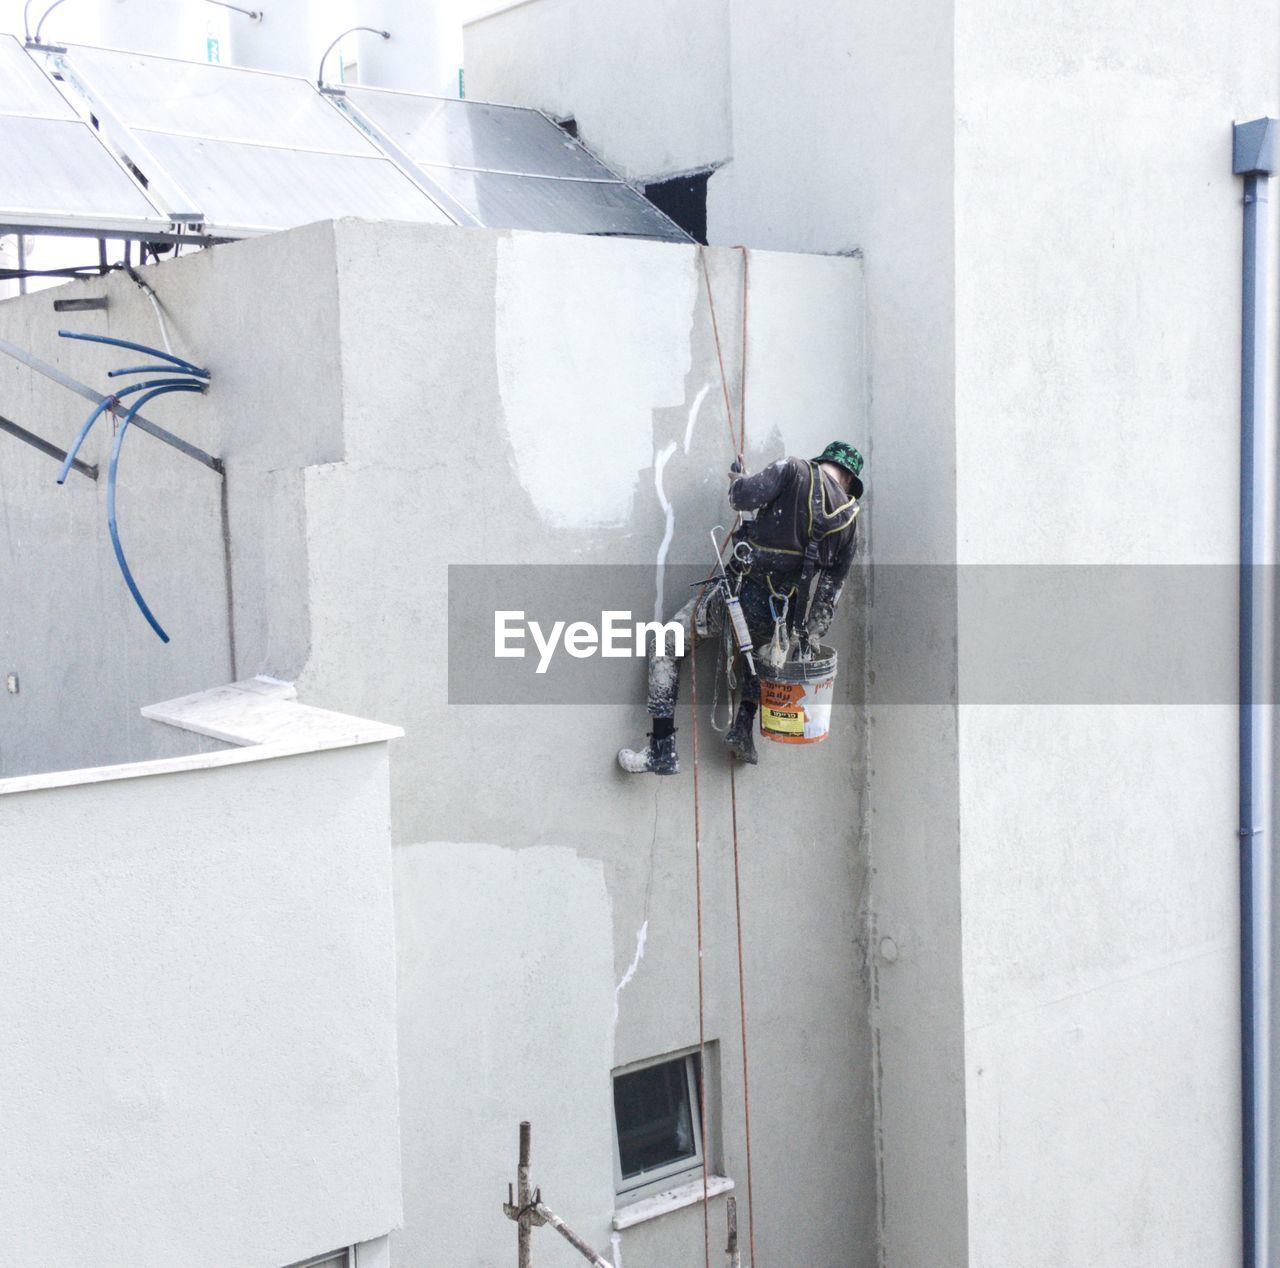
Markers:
<point>509,167</point>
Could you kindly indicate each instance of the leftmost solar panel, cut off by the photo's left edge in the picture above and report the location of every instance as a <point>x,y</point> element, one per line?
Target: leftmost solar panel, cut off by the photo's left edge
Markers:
<point>57,173</point>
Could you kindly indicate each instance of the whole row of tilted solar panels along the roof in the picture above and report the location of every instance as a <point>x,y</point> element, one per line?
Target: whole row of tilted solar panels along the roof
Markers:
<point>217,152</point>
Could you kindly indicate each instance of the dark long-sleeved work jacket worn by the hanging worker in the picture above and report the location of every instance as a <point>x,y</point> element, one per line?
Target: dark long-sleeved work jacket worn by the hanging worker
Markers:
<point>797,501</point>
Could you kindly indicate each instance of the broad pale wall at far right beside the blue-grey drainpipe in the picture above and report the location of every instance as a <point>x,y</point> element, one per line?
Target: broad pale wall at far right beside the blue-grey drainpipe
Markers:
<point>1099,391</point>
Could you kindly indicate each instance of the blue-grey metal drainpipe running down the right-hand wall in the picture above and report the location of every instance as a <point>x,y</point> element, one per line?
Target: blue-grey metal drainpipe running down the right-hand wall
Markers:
<point>1254,158</point>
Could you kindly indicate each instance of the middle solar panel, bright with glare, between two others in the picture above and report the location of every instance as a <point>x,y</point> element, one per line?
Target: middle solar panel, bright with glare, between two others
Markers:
<point>255,152</point>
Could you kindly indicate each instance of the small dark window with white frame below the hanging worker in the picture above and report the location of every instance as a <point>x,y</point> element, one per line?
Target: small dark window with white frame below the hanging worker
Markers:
<point>656,1115</point>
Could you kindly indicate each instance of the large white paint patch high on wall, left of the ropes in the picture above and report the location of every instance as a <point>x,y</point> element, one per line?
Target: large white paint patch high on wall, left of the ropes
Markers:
<point>592,337</point>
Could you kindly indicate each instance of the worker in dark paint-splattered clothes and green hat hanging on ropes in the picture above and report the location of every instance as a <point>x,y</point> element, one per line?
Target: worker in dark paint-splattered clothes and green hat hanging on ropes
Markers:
<point>788,567</point>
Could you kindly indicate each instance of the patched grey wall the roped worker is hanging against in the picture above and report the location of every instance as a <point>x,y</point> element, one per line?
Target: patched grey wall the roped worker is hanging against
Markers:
<point>560,372</point>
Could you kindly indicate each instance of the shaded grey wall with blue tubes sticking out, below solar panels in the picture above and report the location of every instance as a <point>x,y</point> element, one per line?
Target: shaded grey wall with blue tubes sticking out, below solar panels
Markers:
<point>85,658</point>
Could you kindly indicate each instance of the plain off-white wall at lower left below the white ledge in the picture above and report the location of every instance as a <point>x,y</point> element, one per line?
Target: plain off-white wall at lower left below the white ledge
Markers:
<point>200,1066</point>
